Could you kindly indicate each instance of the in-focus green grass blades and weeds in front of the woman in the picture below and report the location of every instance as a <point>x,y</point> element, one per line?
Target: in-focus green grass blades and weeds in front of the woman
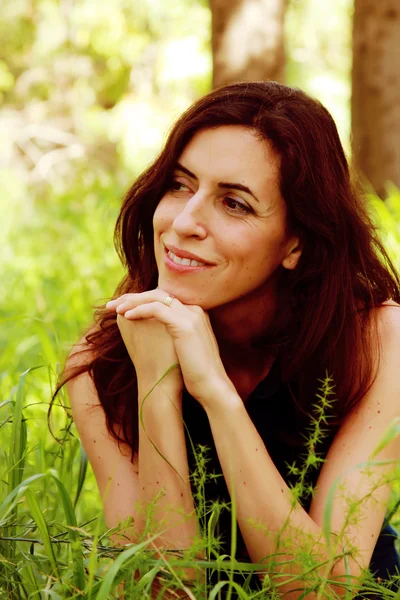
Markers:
<point>48,550</point>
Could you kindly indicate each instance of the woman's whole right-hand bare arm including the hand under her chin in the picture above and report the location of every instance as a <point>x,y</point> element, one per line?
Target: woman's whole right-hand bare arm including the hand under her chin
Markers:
<point>261,494</point>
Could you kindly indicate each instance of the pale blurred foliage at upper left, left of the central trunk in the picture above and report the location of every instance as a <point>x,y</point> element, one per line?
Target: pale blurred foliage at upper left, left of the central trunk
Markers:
<point>90,88</point>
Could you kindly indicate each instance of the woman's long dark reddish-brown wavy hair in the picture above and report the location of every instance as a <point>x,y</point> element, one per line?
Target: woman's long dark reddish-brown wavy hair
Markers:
<point>343,272</point>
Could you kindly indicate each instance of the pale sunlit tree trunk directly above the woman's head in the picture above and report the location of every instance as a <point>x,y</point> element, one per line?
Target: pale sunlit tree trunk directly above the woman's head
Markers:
<point>247,40</point>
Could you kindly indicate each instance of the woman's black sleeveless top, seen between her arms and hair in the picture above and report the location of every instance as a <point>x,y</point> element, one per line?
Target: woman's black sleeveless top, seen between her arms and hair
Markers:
<point>278,421</point>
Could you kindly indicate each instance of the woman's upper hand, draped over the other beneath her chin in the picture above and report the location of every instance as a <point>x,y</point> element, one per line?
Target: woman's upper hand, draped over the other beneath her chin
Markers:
<point>193,339</point>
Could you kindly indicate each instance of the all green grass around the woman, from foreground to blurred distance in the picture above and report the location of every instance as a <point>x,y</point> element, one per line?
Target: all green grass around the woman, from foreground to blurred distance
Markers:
<point>57,264</point>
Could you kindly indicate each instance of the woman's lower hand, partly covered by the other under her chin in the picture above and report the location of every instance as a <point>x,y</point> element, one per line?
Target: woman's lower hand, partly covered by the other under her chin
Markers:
<point>150,346</point>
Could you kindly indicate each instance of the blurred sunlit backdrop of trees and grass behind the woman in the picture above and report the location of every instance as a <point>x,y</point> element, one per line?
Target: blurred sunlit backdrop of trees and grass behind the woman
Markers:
<point>88,91</point>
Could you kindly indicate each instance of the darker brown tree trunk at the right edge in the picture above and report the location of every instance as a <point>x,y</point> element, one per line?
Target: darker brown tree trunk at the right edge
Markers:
<point>376,92</point>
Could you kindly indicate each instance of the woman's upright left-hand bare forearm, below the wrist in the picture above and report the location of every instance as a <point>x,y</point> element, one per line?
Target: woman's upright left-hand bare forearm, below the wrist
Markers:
<point>163,467</point>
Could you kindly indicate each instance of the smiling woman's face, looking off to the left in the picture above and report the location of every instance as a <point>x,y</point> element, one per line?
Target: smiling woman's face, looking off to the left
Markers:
<point>225,211</point>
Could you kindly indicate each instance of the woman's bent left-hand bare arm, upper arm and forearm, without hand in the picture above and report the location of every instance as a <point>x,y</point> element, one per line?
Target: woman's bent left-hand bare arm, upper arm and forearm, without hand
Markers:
<point>128,488</point>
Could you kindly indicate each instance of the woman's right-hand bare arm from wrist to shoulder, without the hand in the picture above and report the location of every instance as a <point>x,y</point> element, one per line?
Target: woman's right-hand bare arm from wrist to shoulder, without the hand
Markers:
<point>287,528</point>
